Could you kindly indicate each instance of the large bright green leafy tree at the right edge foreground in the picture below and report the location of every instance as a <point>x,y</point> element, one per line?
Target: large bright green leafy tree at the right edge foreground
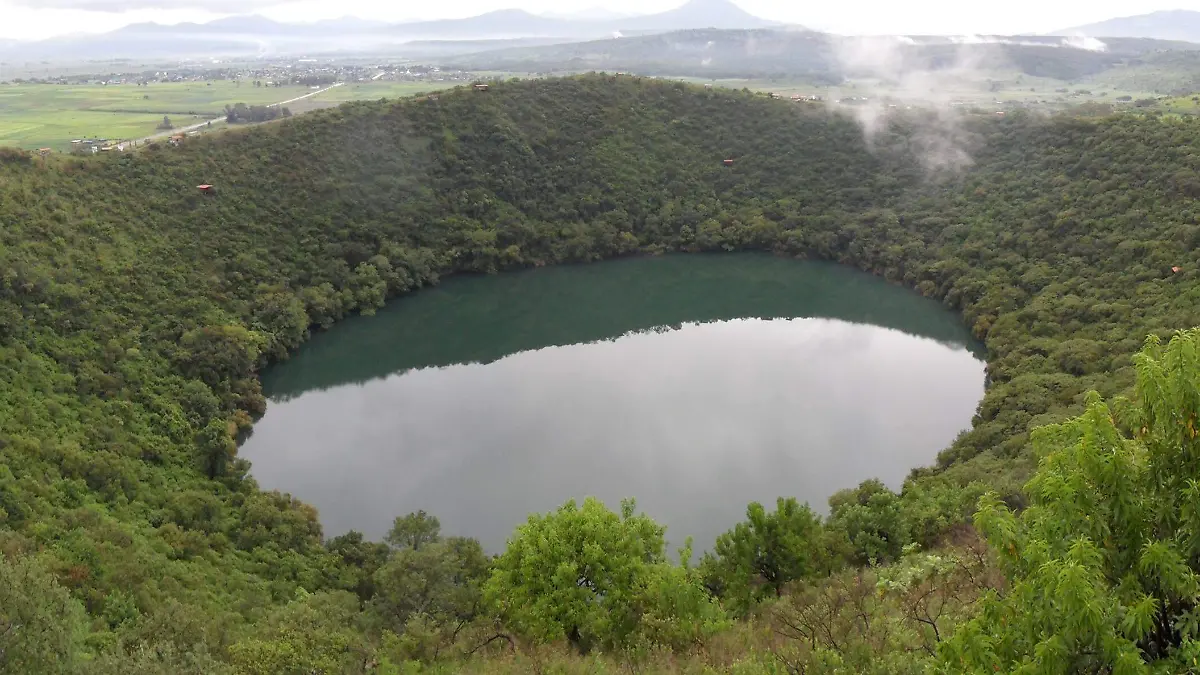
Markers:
<point>1105,565</point>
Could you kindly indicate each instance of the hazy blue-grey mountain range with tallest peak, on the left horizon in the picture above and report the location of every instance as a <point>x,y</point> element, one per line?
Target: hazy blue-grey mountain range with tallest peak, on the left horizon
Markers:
<point>254,35</point>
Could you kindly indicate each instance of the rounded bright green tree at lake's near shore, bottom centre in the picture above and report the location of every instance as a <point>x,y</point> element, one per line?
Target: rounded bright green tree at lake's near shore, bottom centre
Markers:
<point>598,580</point>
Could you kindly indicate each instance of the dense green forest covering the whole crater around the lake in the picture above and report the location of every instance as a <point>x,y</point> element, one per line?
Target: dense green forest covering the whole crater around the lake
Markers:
<point>136,313</point>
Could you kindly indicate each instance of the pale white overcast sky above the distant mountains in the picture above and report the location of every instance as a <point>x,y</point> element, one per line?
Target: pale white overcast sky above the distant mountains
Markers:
<point>29,20</point>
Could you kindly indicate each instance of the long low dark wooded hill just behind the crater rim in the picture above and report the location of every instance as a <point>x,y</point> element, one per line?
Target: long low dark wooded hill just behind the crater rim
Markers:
<point>817,57</point>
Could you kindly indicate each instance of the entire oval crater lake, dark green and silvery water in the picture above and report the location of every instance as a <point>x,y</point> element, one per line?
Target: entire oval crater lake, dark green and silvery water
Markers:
<point>694,384</point>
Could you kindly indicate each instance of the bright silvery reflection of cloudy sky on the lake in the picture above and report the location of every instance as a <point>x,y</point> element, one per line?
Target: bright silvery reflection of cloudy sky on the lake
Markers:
<point>694,423</point>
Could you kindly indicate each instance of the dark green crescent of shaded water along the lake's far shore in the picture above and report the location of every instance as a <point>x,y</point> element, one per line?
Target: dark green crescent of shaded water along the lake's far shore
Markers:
<point>481,320</point>
